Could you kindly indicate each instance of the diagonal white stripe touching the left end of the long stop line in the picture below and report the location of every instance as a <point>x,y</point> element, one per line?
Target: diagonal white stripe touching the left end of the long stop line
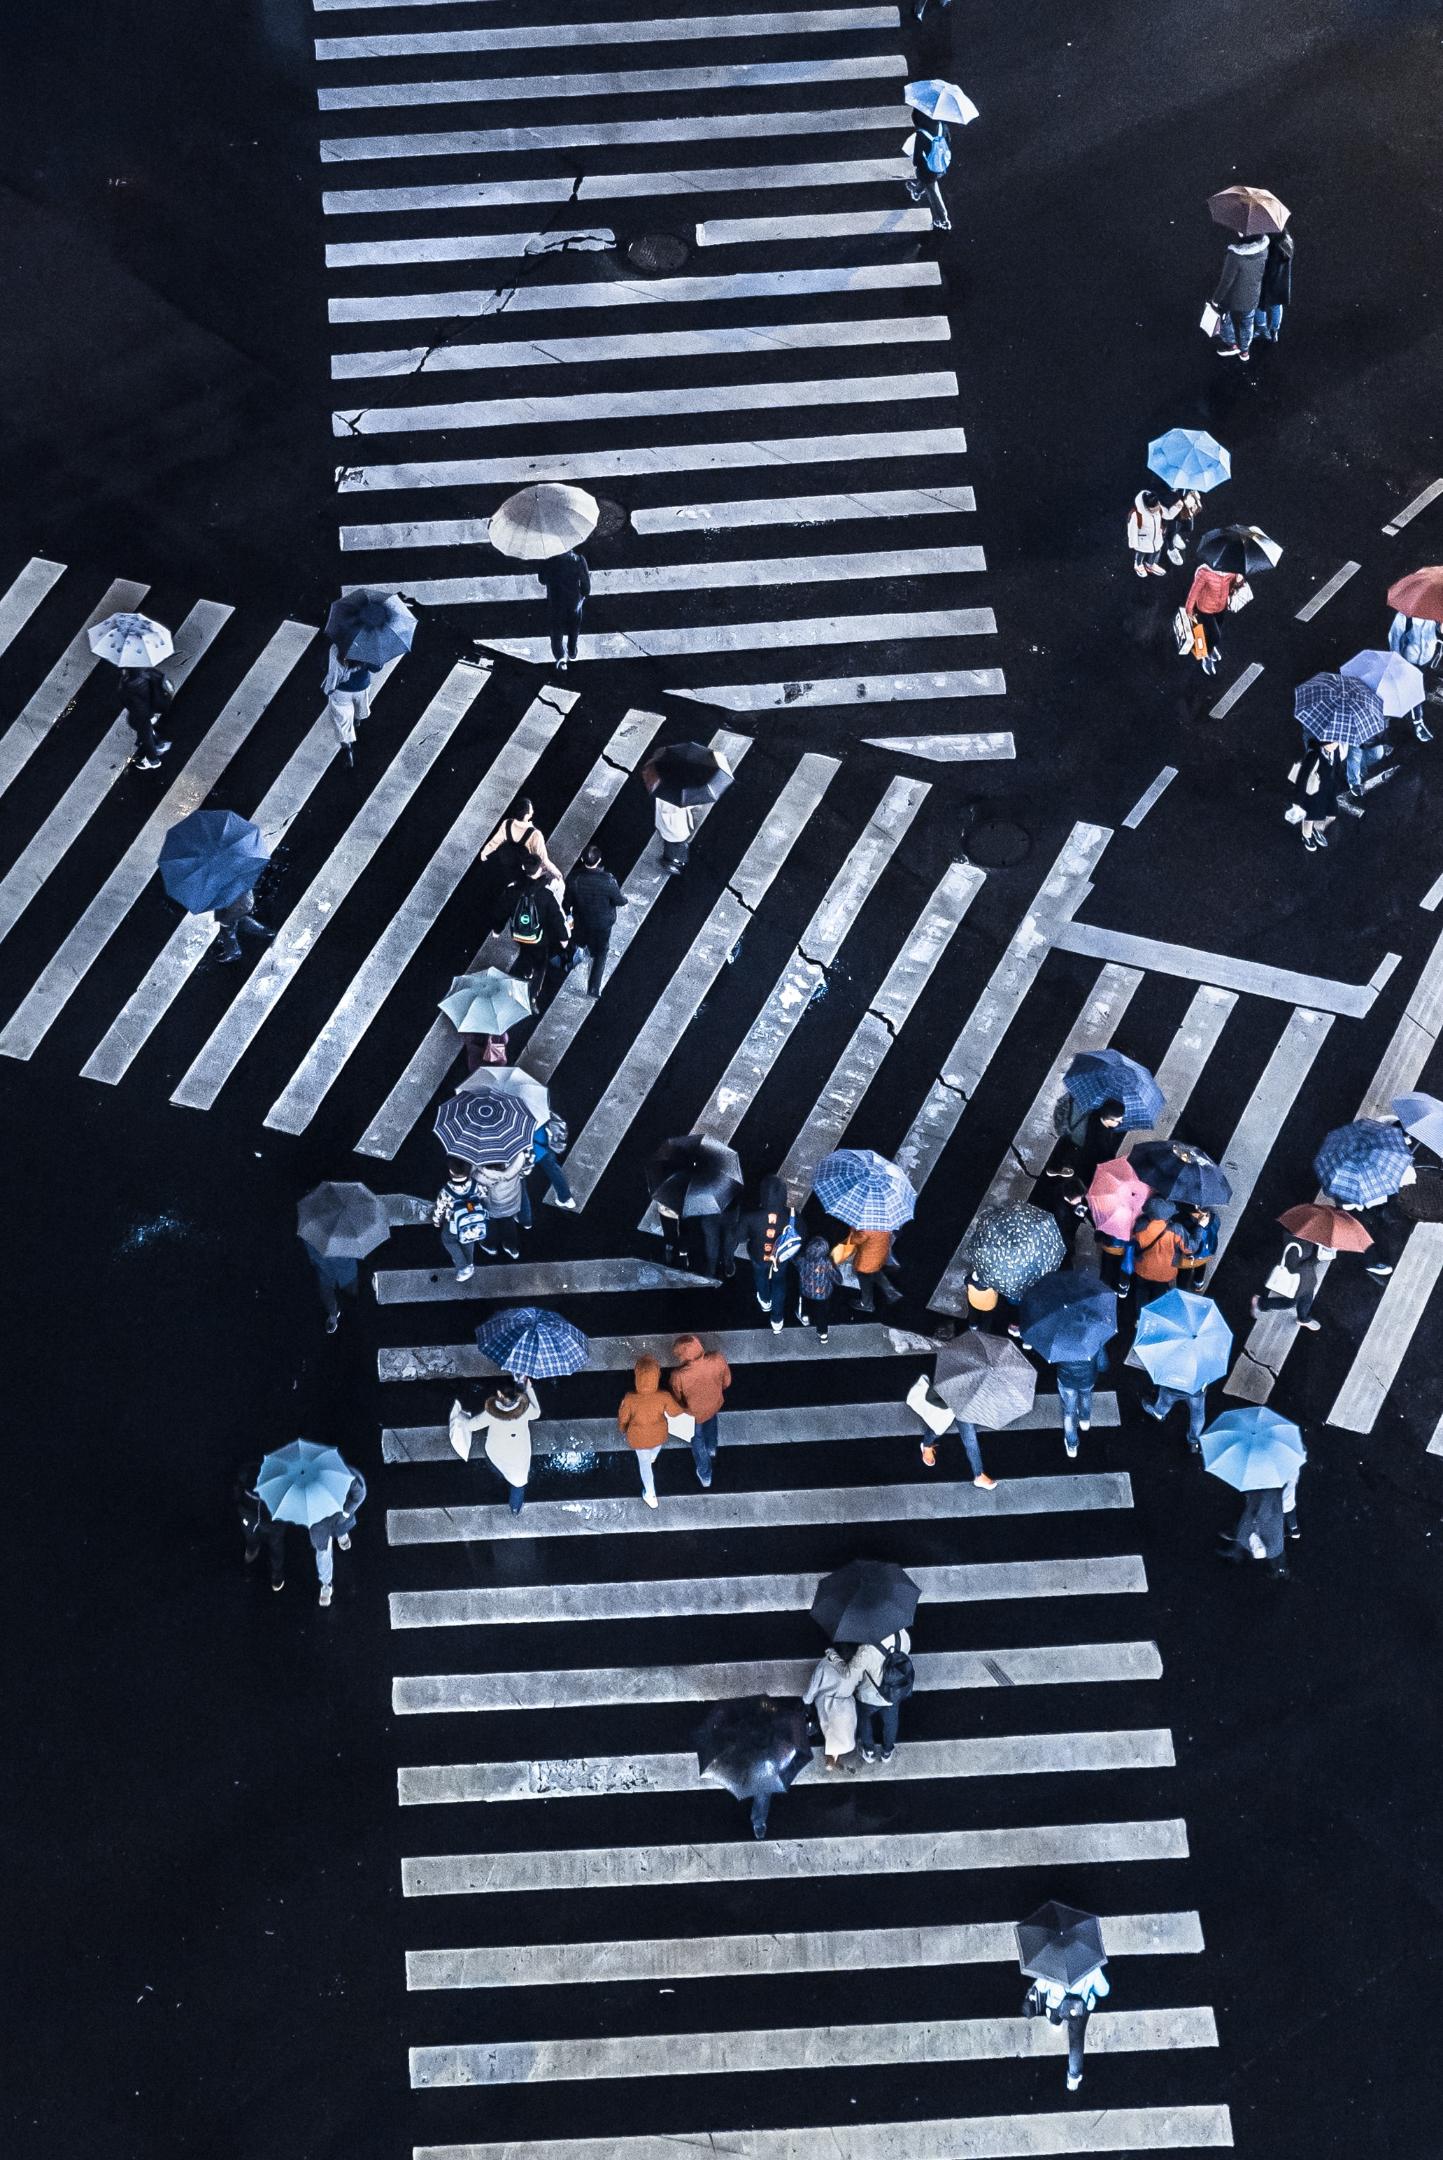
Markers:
<point>1001,1001</point>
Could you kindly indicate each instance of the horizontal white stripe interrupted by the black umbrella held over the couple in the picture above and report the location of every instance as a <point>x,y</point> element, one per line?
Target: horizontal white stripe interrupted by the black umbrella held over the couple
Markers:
<point>688,1597</point>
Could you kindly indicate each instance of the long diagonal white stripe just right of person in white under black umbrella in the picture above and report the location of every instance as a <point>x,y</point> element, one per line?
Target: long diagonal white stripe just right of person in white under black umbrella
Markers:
<point>675,1010</point>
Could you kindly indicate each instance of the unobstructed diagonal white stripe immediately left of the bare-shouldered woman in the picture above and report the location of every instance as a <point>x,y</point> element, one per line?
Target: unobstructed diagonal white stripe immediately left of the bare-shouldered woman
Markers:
<point>401,941</point>
